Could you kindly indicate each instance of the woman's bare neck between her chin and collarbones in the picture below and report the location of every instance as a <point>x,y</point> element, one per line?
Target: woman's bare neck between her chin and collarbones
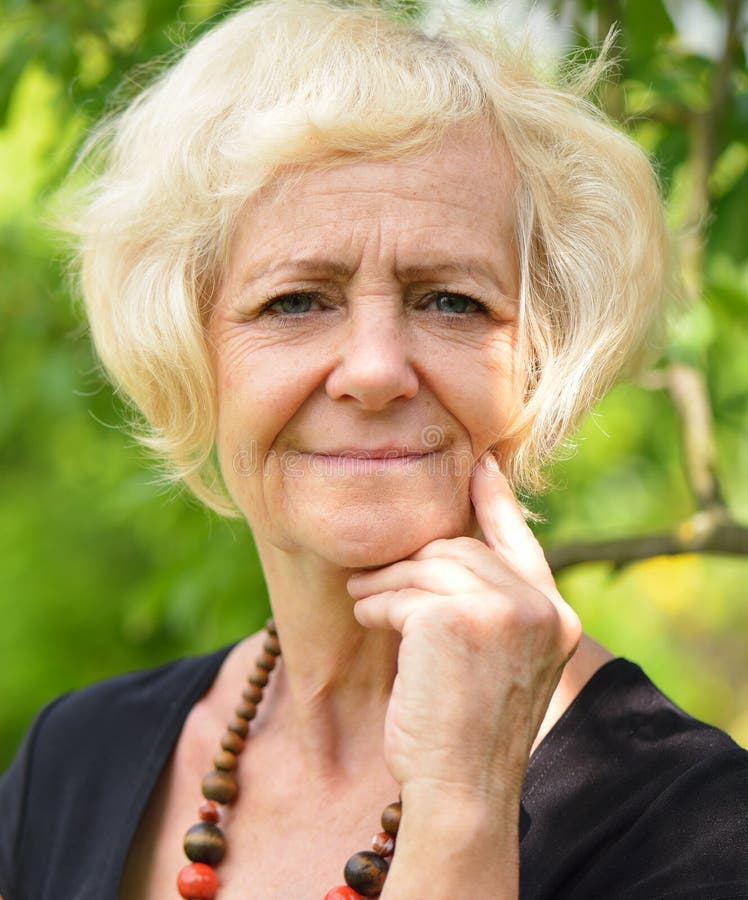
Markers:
<point>336,678</point>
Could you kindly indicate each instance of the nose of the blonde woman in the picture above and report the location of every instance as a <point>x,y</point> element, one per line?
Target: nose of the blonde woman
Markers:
<point>374,364</point>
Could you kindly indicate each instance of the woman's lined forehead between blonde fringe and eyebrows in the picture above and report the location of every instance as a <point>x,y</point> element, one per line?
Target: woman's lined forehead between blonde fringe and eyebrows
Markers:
<point>455,198</point>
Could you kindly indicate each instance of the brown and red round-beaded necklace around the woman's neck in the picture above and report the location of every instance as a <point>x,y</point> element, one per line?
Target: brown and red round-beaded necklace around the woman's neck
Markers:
<point>205,842</point>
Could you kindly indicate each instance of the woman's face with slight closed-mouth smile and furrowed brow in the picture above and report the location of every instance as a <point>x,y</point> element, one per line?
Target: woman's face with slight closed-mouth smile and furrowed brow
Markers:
<point>364,343</point>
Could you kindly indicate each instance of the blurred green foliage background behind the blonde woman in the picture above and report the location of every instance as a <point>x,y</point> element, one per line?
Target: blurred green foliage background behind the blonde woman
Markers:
<point>103,571</point>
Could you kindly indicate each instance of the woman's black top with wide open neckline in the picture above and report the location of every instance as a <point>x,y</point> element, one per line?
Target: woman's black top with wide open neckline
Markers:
<point>627,798</point>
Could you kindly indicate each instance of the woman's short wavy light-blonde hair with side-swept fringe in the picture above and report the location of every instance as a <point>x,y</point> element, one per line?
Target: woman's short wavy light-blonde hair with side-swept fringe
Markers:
<point>316,82</point>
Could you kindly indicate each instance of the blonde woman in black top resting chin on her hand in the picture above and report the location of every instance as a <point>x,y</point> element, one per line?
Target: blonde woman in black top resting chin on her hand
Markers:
<point>376,275</point>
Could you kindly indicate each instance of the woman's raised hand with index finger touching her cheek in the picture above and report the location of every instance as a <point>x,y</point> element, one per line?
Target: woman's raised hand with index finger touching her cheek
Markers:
<point>485,637</point>
